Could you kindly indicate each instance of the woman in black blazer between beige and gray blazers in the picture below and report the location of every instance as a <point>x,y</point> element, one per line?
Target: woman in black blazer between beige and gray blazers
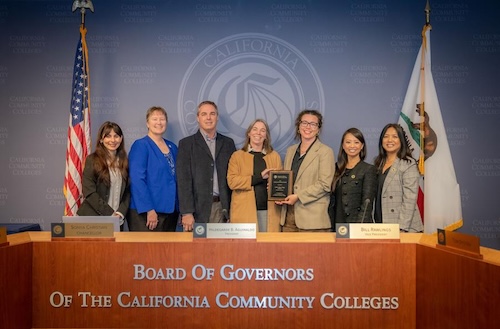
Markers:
<point>355,182</point>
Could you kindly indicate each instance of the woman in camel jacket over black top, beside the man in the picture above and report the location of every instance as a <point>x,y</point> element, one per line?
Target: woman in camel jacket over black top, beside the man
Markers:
<point>247,177</point>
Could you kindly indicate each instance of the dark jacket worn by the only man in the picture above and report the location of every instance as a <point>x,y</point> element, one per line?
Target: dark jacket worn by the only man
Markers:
<point>195,167</point>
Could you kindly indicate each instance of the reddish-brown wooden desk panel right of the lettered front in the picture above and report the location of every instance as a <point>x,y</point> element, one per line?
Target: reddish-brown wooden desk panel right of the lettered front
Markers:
<point>456,291</point>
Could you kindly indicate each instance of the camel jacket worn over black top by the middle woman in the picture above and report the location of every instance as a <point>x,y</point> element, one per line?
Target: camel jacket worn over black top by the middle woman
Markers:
<point>239,178</point>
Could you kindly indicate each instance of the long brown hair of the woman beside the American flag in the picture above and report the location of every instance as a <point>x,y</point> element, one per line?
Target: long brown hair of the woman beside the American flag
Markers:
<point>103,160</point>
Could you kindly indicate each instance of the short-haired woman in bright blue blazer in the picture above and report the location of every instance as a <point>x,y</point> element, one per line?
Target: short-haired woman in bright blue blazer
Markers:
<point>154,202</point>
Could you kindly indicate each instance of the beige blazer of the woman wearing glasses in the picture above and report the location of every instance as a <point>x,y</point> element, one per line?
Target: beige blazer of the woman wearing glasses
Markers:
<point>312,186</point>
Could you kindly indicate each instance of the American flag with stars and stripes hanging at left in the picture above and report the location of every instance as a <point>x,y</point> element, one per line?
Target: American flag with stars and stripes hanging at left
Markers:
<point>79,143</point>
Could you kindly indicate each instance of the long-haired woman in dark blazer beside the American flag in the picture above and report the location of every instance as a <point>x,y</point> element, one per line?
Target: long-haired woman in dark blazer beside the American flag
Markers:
<point>105,176</point>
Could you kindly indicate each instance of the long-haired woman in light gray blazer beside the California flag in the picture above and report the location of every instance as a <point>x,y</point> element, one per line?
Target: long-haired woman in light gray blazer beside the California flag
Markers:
<point>398,181</point>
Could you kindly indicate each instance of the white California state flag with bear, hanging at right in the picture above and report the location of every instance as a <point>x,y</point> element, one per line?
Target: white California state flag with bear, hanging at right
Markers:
<point>422,121</point>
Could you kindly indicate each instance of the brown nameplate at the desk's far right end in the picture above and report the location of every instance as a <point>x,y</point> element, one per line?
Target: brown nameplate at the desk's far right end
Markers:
<point>464,244</point>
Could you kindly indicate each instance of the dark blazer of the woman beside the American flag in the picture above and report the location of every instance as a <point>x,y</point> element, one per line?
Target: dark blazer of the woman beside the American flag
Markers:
<point>96,194</point>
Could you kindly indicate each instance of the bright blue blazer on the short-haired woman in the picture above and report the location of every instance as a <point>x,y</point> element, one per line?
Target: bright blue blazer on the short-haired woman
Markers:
<point>152,183</point>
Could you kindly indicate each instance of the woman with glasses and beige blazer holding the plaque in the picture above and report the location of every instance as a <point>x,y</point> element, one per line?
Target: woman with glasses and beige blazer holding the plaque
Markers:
<point>312,164</point>
